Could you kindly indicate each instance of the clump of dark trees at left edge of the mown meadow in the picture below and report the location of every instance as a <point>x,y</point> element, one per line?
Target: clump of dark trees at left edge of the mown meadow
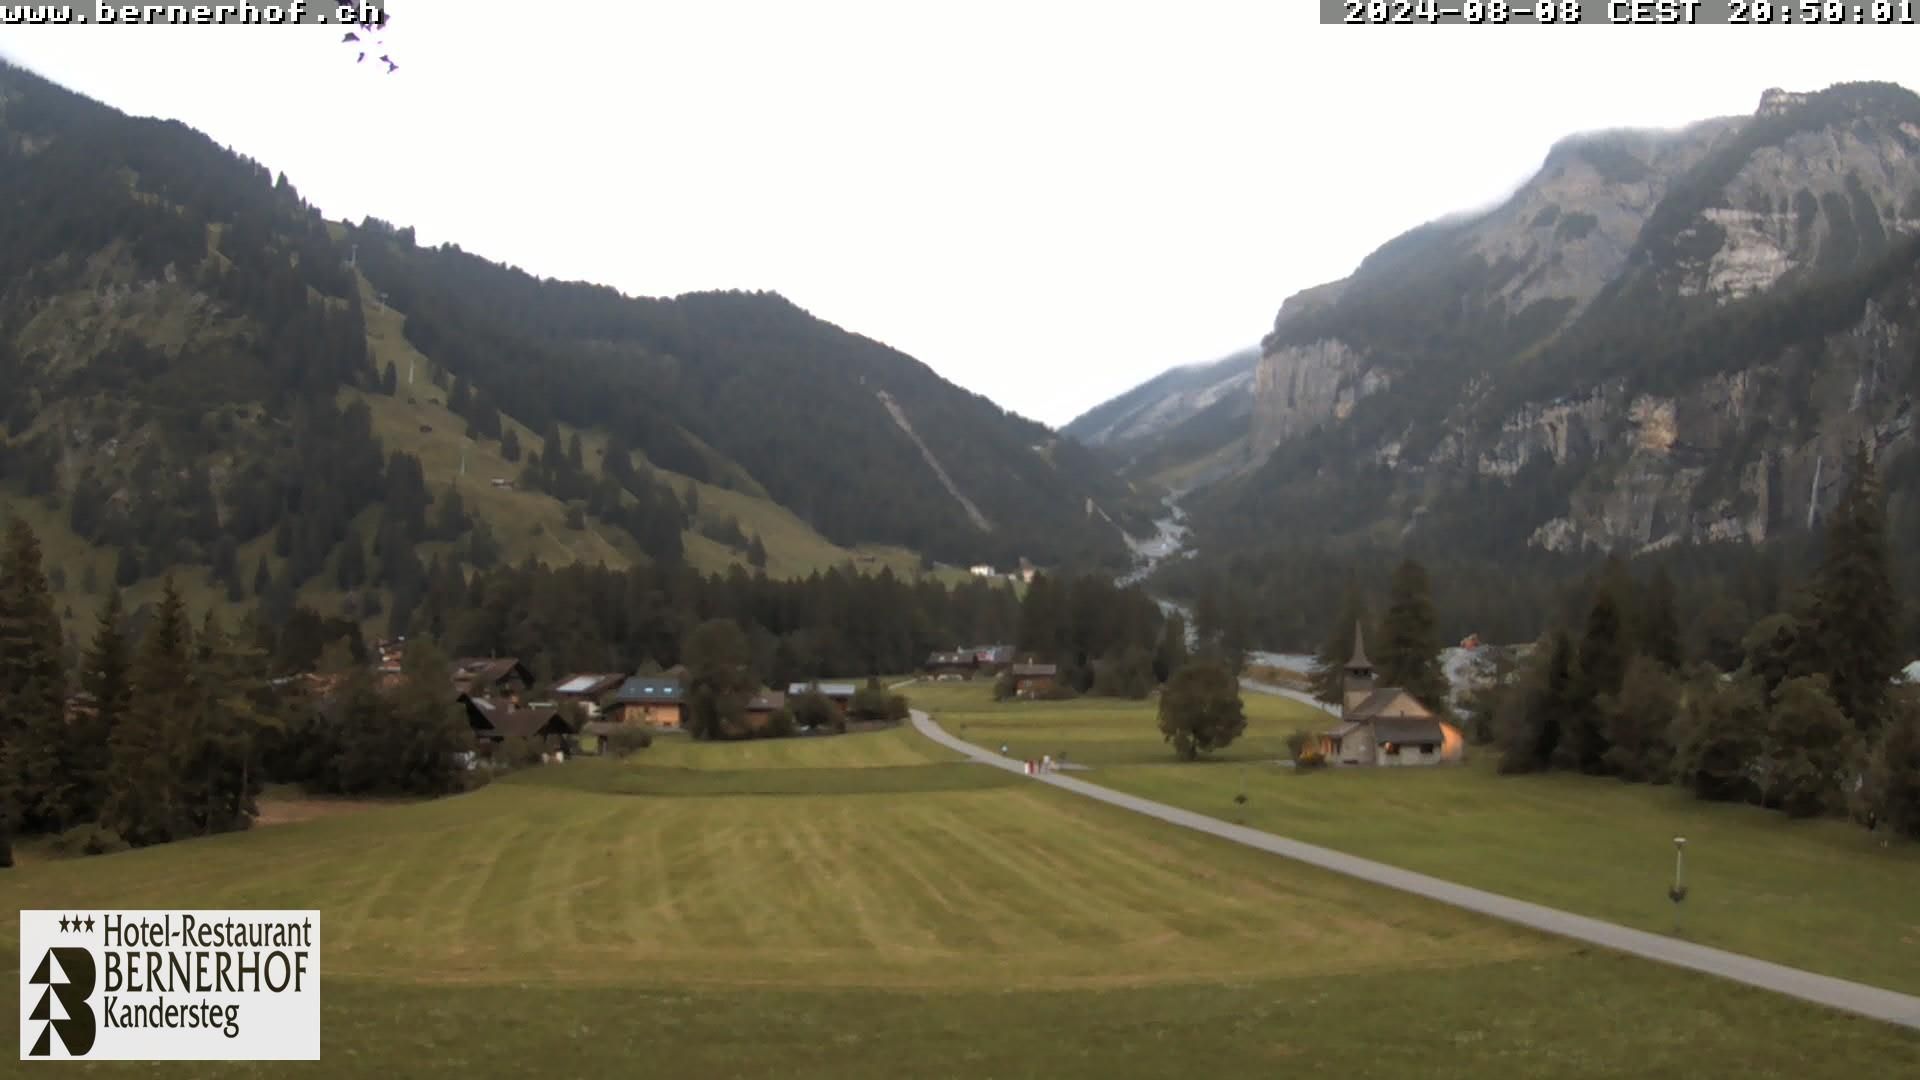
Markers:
<point>174,731</point>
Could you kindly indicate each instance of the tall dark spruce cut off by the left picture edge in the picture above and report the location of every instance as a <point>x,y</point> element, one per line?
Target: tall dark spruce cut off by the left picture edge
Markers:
<point>34,699</point>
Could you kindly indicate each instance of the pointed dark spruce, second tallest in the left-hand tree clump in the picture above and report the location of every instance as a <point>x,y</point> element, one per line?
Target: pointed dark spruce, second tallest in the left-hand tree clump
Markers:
<point>145,766</point>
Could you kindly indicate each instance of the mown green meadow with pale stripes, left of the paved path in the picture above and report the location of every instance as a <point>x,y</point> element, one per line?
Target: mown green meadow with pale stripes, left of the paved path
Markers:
<point>869,906</point>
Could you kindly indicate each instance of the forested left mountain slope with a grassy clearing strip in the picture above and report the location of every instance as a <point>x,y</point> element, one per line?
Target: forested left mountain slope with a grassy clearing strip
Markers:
<point>208,378</point>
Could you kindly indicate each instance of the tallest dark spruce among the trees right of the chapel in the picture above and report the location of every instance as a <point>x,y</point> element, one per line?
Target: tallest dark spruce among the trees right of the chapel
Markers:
<point>1856,612</point>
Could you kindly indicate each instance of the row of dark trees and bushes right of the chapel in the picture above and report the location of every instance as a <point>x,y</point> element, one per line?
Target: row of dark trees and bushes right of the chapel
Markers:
<point>1812,722</point>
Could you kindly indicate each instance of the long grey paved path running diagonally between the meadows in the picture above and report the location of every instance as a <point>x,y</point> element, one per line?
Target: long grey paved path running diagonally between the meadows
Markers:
<point>1806,985</point>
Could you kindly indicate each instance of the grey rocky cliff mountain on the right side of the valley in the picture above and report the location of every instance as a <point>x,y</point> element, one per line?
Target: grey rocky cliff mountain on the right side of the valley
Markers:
<point>1662,339</point>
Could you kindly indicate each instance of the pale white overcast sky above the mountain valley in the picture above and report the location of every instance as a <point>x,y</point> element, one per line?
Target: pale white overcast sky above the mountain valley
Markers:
<point>1045,201</point>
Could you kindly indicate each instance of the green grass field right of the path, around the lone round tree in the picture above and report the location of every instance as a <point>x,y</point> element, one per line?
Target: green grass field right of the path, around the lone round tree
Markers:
<point>1813,895</point>
